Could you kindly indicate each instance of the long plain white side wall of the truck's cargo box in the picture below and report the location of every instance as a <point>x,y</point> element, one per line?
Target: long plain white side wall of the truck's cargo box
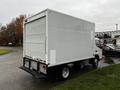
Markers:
<point>69,39</point>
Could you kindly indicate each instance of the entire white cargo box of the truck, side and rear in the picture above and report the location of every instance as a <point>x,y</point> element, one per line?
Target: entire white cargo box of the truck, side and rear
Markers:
<point>55,38</point>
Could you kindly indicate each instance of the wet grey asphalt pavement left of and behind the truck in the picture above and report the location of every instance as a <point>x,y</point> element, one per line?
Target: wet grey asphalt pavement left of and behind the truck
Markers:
<point>13,78</point>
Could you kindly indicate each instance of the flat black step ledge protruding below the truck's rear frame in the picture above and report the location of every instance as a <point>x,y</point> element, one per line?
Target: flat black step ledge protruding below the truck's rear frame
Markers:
<point>33,73</point>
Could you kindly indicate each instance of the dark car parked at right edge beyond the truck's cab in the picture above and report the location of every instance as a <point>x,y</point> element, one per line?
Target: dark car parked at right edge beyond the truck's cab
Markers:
<point>111,50</point>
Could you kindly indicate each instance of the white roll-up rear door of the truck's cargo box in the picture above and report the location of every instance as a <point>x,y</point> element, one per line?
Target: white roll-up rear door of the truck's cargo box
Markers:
<point>35,33</point>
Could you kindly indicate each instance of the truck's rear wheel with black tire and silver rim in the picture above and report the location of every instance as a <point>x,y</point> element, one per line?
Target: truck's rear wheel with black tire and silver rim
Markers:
<point>64,73</point>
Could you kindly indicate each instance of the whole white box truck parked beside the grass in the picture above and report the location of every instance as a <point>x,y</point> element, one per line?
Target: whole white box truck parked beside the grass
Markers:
<point>53,42</point>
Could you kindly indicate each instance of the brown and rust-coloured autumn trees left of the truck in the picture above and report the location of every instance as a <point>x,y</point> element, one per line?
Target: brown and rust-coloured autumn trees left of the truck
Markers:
<point>12,32</point>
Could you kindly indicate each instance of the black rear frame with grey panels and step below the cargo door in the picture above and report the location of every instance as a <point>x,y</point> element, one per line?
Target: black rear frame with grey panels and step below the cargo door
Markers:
<point>35,68</point>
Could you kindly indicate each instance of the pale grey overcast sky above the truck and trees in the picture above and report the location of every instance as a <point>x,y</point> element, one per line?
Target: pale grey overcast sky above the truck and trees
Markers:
<point>104,13</point>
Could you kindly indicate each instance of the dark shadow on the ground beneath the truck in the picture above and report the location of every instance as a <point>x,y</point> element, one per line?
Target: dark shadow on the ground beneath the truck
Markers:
<point>47,84</point>
